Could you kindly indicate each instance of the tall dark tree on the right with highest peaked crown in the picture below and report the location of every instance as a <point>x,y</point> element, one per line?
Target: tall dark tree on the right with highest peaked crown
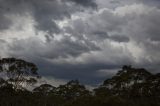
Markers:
<point>126,79</point>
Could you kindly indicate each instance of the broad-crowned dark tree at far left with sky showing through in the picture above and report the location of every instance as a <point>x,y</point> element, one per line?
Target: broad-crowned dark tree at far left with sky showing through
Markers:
<point>19,72</point>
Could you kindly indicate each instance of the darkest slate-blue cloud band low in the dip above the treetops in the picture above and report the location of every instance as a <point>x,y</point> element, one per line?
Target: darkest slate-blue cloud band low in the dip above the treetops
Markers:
<point>85,73</point>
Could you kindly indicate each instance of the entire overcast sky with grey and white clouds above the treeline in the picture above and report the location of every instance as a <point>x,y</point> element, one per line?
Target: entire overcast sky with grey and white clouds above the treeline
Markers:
<point>88,40</point>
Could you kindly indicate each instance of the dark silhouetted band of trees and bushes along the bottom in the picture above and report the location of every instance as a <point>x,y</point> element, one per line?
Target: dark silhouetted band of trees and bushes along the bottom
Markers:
<point>129,87</point>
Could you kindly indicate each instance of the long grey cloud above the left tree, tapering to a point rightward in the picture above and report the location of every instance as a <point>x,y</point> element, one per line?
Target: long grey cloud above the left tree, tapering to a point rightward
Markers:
<point>55,49</point>
